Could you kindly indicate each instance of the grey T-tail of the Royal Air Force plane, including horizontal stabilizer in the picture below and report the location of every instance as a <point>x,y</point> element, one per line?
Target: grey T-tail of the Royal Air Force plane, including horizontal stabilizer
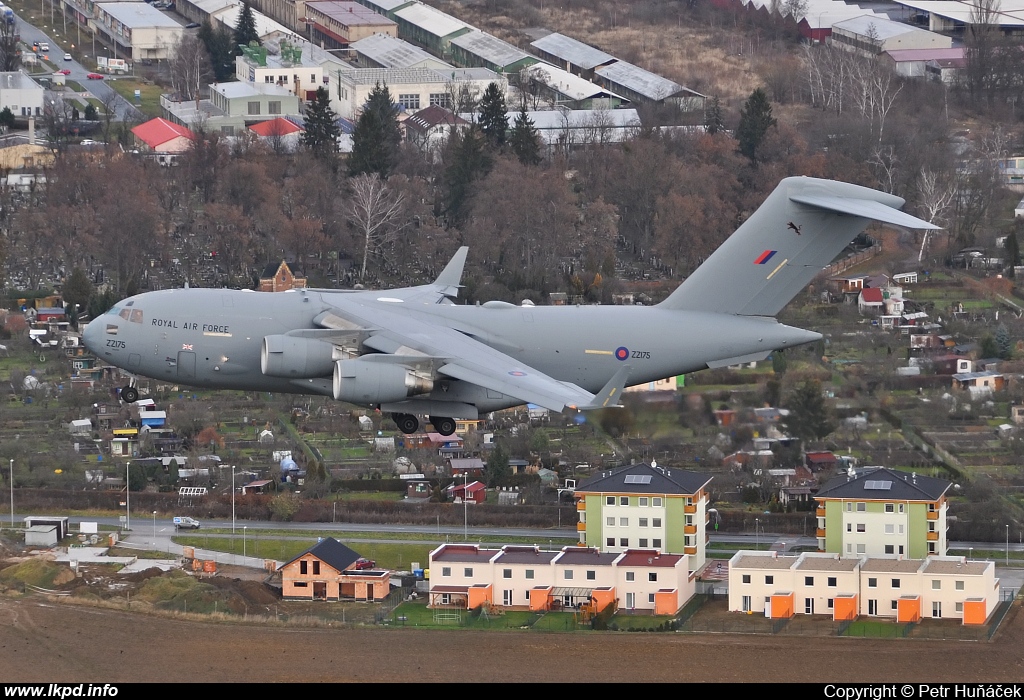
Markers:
<point>799,230</point>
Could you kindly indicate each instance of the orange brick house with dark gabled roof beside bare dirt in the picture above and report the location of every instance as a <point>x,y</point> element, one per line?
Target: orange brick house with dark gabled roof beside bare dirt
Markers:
<point>328,571</point>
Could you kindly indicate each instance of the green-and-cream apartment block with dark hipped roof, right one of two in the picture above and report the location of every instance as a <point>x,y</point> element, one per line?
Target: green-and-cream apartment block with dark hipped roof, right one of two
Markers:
<point>880,512</point>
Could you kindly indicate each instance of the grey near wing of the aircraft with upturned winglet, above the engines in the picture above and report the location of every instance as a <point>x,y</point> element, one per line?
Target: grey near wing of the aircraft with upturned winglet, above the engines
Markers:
<point>407,339</point>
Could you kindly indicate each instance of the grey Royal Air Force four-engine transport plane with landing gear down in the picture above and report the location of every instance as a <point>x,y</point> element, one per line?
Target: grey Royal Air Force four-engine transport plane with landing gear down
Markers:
<point>413,353</point>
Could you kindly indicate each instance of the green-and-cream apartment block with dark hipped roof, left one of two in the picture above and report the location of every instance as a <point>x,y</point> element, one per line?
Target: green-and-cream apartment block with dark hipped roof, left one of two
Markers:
<point>645,507</point>
